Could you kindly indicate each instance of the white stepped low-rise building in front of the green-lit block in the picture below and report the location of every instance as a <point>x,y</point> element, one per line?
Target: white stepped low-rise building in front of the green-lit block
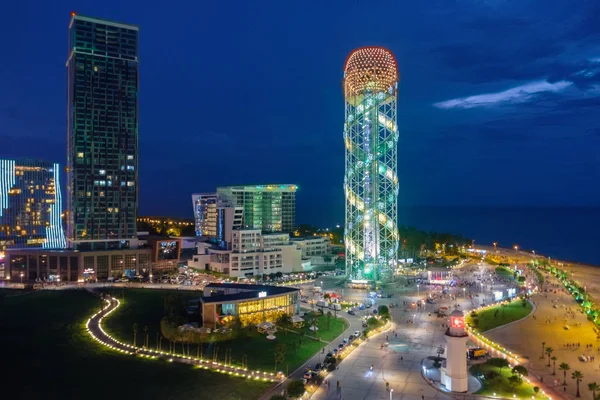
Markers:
<point>251,254</point>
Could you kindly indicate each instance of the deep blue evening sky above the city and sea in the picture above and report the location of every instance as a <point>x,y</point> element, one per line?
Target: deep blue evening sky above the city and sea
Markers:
<point>498,100</point>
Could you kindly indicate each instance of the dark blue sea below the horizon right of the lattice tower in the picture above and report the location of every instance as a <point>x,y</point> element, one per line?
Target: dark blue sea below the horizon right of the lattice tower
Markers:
<point>563,233</point>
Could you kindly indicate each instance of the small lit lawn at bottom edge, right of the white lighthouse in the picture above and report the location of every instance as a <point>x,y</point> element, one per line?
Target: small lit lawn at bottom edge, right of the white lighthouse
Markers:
<point>500,386</point>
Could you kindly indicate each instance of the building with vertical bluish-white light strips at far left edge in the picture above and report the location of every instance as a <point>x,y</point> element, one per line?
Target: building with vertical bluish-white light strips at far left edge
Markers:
<point>30,205</point>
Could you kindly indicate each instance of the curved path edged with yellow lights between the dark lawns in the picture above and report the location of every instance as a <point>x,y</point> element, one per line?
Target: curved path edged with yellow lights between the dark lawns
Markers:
<point>94,328</point>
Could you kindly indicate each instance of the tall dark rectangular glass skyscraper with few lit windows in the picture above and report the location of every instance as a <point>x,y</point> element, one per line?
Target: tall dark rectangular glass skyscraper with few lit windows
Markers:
<point>102,139</point>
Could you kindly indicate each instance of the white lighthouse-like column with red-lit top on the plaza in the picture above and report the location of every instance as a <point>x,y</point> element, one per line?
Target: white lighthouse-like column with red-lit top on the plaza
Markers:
<point>454,373</point>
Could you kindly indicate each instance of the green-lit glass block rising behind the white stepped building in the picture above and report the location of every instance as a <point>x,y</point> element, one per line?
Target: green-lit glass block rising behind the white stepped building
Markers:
<point>270,208</point>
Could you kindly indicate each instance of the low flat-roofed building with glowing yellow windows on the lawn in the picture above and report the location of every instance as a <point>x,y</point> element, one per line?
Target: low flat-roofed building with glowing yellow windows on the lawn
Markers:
<point>252,304</point>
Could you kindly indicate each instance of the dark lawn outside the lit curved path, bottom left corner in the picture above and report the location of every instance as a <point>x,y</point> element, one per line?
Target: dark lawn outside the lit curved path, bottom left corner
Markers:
<point>48,354</point>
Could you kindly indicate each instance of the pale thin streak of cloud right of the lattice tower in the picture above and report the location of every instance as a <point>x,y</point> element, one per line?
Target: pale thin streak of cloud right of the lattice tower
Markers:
<point>518,94</point>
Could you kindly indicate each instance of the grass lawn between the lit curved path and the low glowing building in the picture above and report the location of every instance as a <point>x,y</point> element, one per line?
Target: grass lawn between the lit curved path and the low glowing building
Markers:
<point>145,307</point>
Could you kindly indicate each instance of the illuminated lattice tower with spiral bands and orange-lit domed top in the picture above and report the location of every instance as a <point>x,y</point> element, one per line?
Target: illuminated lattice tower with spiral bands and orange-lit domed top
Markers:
<point>371,184</point>
